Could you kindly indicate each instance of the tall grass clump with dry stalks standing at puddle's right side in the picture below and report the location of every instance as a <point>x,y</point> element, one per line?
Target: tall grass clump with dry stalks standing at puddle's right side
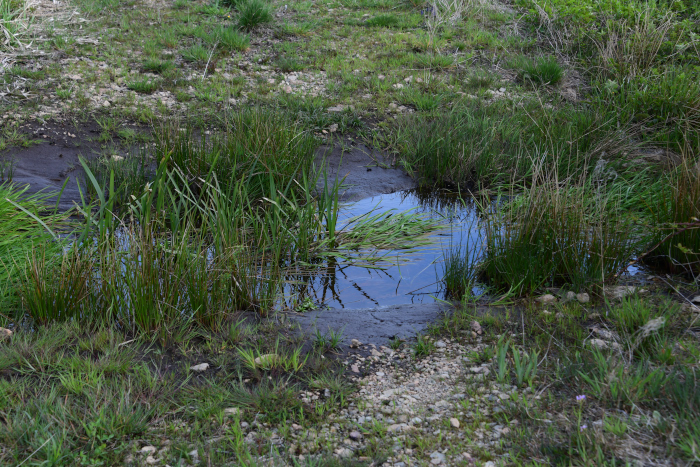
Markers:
<point>556,234</point>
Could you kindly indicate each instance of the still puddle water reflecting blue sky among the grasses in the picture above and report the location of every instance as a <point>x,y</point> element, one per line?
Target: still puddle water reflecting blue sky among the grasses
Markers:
<point>416,279</point>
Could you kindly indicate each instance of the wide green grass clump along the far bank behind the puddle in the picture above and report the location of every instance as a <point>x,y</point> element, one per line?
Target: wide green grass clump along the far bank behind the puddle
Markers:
<point>480,146</point>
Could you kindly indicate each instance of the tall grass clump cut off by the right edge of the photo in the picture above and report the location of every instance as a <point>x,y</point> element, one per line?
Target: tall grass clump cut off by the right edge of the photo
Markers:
<point>676,213</point>
